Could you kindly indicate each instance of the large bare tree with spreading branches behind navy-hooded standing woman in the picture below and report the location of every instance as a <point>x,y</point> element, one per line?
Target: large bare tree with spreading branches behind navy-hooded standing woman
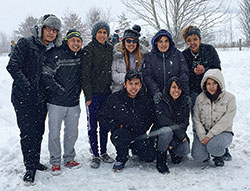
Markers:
<point>174,15</point>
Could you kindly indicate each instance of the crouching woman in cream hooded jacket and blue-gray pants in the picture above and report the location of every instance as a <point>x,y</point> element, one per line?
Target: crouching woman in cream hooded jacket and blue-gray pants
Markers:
<point>214,112</point>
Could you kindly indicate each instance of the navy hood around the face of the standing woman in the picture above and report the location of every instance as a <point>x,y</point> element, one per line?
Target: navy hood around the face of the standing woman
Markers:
<point>159,34</point>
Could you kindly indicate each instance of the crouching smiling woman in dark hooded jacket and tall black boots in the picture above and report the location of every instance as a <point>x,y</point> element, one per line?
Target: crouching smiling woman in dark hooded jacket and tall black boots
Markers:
<point>172,118</point>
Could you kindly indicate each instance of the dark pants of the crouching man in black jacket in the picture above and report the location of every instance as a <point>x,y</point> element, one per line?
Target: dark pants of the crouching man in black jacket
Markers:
<point>123,141</point>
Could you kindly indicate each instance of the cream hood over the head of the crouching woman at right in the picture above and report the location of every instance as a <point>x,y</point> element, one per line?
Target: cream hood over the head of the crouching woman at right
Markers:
<point>216,75</point>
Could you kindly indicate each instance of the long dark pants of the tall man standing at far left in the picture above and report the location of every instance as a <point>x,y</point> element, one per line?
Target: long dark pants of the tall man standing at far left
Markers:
<point>31,122</point>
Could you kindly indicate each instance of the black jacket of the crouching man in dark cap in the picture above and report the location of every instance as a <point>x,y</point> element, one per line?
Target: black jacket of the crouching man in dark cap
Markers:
<point>135,115</point>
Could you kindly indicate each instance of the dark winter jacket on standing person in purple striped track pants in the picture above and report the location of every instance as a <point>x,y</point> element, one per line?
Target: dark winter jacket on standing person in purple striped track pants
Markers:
<point>96,69</point>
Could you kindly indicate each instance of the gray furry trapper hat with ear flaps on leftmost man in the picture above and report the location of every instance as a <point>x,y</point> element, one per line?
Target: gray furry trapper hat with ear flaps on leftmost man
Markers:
<point>52,21</point>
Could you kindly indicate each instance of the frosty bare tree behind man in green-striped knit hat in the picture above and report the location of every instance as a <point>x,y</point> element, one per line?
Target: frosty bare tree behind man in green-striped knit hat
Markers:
<point>72,21</point>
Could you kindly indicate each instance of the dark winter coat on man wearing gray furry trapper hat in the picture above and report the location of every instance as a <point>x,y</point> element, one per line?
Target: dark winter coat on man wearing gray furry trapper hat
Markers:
<point>25,67</point>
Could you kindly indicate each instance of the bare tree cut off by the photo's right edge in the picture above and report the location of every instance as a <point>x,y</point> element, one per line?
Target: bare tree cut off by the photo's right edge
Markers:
<point>244,18</point>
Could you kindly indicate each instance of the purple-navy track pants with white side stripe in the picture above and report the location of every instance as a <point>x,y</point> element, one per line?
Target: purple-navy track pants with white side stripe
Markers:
<point>92,111</point>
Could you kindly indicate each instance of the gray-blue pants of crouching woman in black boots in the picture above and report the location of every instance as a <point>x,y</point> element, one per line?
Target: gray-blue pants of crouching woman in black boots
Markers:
<point>164,139</point>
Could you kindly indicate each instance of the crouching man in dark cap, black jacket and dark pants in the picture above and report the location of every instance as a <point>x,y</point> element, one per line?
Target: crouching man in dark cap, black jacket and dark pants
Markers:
<point>128,113</point>
